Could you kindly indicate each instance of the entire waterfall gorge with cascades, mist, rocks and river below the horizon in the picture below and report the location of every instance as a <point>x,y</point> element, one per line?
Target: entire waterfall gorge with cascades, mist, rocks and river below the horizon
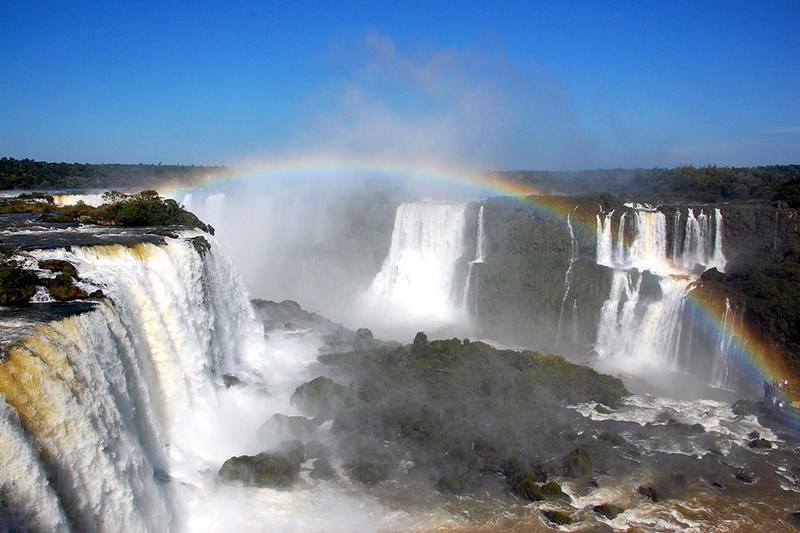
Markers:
<point>366,359</point>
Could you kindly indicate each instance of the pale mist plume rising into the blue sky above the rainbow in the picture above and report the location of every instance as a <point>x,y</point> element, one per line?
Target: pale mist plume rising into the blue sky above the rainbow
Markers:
<point>450,105</point>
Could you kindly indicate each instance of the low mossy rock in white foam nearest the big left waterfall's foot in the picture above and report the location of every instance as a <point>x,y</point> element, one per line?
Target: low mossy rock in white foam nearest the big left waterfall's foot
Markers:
<point>262,470</point>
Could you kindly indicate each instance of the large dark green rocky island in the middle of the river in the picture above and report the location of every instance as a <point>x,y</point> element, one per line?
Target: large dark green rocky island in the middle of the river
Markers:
<point>457,408</point>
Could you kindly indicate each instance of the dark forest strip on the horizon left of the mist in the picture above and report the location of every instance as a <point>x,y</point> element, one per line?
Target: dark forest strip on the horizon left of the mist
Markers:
<point>27,174</point>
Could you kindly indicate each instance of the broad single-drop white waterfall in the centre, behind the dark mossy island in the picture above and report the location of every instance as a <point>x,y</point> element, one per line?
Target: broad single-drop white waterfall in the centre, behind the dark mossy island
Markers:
<point>419,279</point>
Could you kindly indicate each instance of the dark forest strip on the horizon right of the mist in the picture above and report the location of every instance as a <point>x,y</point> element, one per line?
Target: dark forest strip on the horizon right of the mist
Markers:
<point>777,183</point>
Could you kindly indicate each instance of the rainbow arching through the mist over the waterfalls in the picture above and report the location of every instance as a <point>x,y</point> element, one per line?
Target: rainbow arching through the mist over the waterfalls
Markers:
<point>748,346</point>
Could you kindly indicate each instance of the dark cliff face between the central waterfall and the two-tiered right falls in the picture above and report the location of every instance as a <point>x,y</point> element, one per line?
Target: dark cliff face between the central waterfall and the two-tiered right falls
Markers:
<point>540,284</point>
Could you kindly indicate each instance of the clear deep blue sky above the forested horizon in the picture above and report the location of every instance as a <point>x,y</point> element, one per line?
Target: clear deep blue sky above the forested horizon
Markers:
<point>494,84</point>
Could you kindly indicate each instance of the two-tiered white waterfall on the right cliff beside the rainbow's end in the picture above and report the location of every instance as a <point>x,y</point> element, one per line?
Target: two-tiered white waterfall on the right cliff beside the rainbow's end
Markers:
<point>649,330</point>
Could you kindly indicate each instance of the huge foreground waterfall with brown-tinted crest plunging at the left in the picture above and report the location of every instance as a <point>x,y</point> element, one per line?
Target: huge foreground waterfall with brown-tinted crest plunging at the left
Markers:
<point>100,409</point>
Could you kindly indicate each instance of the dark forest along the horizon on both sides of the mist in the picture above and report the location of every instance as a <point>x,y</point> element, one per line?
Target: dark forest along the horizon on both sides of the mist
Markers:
<point>778,184</point>
